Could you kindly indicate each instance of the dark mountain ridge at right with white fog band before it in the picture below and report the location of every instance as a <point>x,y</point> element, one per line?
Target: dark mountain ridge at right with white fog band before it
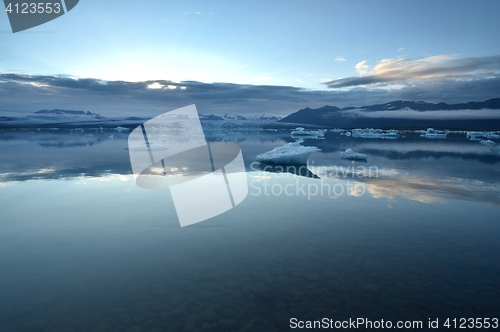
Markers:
<point>367,116</point>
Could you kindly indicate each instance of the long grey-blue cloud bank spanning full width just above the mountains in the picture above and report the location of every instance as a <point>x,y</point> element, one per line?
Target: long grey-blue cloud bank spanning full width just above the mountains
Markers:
<point>29,93</point>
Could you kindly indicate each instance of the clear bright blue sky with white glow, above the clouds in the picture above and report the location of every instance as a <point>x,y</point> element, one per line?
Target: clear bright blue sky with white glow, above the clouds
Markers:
<point>246,42</point>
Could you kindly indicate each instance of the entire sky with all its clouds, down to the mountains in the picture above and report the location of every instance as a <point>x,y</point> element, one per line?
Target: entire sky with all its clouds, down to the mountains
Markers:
<point>251,56</point>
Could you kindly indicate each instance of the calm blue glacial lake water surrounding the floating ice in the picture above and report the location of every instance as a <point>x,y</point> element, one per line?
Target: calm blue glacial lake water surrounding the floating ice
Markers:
<point>411,234</point>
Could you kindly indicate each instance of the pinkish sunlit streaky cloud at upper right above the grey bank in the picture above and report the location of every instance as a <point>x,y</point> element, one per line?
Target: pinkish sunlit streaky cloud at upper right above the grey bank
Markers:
<point>405,71</point>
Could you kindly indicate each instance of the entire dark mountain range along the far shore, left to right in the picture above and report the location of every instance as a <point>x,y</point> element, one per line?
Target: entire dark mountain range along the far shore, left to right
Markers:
<point>397,114</point>
